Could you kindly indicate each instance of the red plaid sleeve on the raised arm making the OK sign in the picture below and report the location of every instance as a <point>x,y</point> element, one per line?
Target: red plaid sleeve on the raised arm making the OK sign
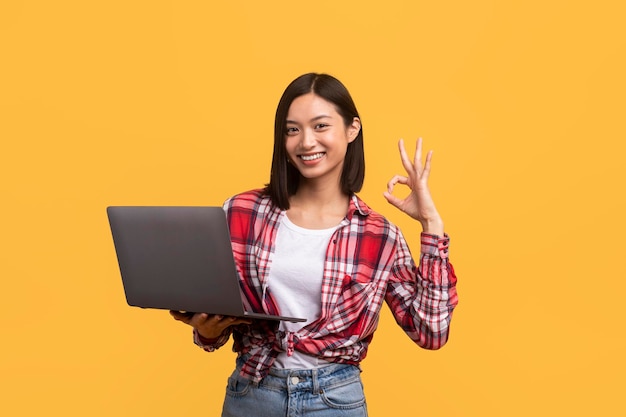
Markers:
<point>423,297</point>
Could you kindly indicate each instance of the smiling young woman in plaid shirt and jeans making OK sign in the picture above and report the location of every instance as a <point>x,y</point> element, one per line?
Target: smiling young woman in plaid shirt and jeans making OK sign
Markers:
<point>307,246</point>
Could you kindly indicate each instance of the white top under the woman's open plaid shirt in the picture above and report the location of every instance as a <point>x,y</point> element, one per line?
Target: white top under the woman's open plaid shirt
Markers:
<point>296,282</point>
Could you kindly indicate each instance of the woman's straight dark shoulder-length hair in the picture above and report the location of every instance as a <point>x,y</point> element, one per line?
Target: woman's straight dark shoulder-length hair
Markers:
<point>284,177</point>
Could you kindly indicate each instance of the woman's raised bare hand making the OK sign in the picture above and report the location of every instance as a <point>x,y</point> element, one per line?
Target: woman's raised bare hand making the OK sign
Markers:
<point>419,203</point>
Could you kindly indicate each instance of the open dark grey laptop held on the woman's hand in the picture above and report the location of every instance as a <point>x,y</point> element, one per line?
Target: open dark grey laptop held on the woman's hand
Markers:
<point>179,258</point>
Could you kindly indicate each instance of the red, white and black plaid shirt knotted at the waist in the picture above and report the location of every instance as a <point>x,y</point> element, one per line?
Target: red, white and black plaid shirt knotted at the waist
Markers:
<point>367,262</point>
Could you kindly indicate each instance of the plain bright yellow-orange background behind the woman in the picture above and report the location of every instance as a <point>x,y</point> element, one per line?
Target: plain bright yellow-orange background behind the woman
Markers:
<point>165,102</point>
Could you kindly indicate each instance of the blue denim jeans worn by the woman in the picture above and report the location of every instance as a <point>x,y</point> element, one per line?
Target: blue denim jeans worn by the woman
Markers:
<point>331,391</point>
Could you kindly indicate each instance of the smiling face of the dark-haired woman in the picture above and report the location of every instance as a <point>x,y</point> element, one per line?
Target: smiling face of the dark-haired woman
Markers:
<point>317,138</point>
